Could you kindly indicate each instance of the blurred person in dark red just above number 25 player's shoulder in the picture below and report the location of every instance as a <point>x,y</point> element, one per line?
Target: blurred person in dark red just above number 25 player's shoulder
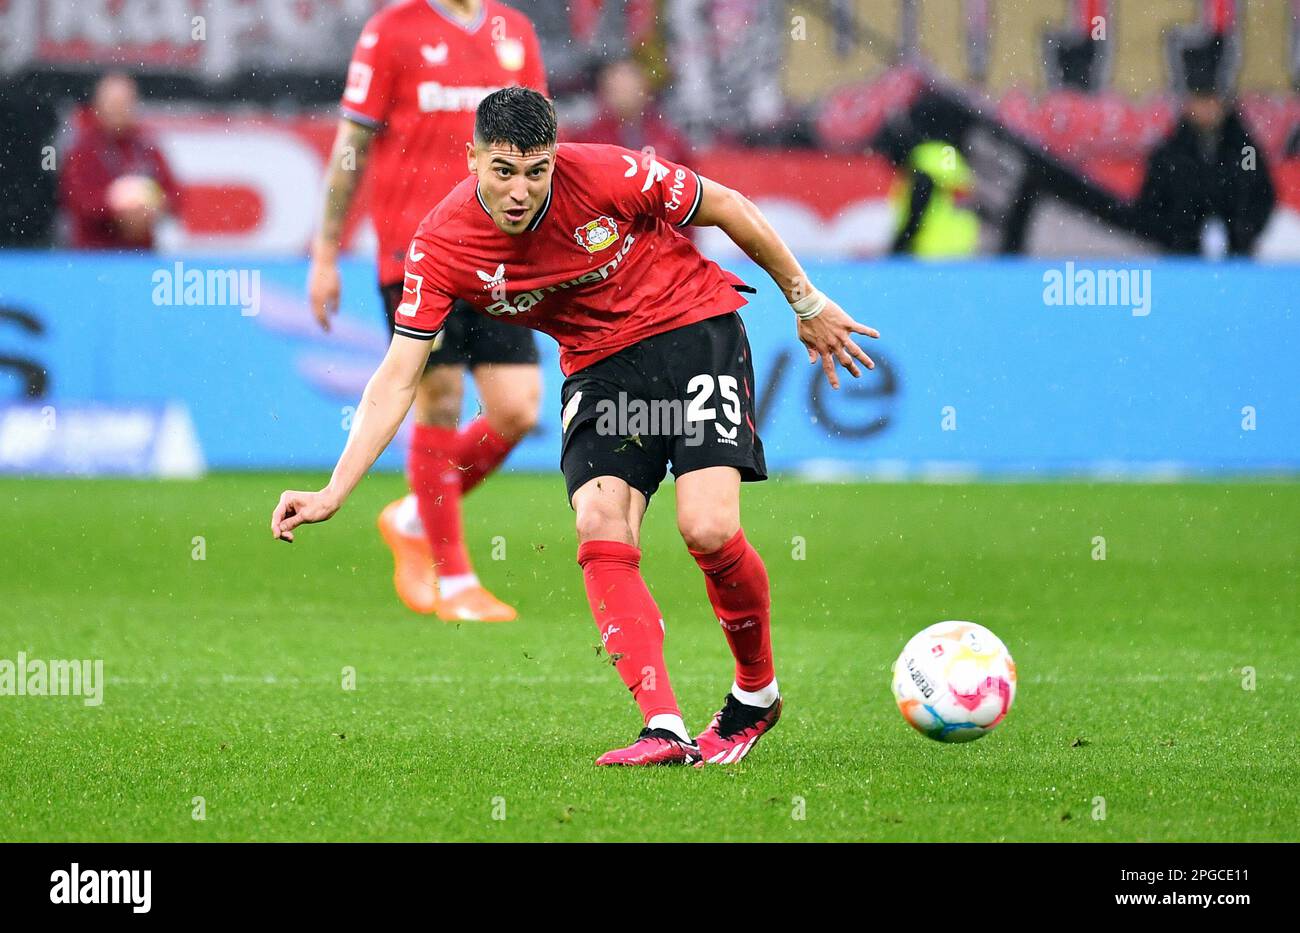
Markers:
<point>629,116</point>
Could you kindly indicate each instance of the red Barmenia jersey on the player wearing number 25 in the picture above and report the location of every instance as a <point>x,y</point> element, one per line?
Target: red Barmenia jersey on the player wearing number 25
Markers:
<point>600,267</point>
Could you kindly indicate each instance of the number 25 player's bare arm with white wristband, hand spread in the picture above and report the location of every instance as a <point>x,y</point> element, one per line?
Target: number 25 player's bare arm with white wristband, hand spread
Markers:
<point>824,326</point>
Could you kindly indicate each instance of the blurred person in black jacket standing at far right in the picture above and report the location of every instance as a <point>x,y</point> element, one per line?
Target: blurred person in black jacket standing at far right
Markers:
<point>1208,188</point>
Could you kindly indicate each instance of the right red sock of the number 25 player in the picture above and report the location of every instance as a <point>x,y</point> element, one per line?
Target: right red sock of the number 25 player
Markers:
<point>738,588</point>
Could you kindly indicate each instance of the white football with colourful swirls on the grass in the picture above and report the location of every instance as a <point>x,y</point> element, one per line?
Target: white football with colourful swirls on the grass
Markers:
<point>955,682</point>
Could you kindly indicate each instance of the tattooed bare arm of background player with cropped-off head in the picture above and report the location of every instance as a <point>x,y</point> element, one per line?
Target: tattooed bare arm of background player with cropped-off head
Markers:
<point>344,176</point>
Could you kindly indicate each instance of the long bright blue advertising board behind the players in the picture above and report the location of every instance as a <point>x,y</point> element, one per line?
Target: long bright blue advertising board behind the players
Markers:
<point>993,368</point>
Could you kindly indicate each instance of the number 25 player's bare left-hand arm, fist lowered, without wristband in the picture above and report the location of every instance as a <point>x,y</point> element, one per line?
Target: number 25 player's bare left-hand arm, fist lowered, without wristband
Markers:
<point>385,402</point>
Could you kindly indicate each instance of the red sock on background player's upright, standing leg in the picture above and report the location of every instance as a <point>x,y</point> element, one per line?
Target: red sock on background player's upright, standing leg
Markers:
<point>436,483</point>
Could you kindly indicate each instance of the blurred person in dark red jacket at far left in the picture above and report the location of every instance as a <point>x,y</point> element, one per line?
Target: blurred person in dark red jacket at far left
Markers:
<point>115,184</point>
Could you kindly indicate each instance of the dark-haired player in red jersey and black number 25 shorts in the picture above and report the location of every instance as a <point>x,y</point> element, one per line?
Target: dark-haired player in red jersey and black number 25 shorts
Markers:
<point>580,242</point>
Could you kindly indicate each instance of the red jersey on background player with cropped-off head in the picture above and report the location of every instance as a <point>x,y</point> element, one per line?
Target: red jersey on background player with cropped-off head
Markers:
<point>418,76</point>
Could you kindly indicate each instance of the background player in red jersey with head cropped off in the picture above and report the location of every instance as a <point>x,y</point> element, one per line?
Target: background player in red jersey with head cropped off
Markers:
<point>419,71</point>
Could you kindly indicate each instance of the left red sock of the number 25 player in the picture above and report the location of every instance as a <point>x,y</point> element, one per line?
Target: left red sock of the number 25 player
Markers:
<point>630,623</point>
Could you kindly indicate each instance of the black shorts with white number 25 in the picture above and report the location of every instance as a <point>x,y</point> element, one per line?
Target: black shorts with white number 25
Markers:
<point>683,398</point>
